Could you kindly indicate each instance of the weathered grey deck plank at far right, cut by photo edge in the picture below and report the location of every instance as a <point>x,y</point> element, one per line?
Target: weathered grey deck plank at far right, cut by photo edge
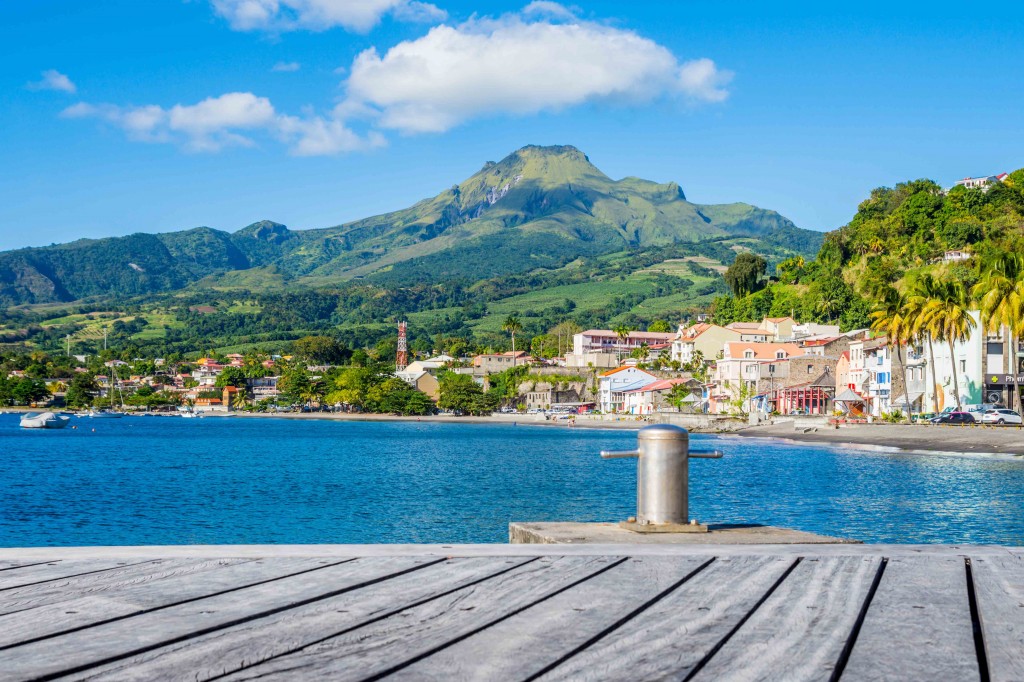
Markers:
<point>999,586</point>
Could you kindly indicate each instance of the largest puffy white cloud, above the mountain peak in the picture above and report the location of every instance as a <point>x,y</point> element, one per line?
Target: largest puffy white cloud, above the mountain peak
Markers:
<point>521,67</point>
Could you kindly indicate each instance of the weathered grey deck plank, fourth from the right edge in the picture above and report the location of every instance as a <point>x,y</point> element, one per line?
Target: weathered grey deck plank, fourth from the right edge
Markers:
<point>667,641</point>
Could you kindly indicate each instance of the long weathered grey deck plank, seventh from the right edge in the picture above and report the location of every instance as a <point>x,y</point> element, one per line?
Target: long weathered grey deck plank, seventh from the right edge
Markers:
<point>227,651</point>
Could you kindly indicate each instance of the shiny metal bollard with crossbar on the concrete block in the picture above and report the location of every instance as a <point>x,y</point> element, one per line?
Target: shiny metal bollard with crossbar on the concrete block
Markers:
<point>663,480</point>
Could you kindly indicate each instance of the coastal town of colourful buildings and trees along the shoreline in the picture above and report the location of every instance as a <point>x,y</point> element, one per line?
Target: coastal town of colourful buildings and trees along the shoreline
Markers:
<point>777,367</point>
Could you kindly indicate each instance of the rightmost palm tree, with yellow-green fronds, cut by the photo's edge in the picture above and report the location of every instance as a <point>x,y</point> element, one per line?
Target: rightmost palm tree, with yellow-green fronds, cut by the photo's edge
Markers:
<point>1001,300</point>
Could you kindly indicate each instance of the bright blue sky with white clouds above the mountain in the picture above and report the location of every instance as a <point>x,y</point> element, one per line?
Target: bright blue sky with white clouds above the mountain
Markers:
<point>126,116</point>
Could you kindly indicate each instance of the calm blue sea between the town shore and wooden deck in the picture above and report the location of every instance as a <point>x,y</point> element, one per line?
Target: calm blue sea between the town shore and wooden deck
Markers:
<point>160,481</point>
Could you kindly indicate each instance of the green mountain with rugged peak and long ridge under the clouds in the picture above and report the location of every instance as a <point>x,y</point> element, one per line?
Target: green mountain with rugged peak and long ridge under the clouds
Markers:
<point>540,208</point>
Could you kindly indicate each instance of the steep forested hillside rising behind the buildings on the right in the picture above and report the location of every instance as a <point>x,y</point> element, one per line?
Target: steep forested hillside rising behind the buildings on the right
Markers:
<point>899,238</point>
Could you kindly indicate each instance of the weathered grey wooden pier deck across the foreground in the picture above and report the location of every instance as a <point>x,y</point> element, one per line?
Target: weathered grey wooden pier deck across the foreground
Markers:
<point>514,613</point>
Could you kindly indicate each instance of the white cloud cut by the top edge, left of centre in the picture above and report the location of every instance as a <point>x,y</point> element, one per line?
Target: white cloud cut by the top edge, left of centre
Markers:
<point>359,16</point>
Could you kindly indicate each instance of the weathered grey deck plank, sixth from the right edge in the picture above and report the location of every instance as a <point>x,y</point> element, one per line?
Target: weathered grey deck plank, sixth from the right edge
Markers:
<point>373,650</point>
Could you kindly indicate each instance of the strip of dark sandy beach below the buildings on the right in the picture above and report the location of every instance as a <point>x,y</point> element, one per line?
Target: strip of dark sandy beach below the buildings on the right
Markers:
<point>919,438</point>
